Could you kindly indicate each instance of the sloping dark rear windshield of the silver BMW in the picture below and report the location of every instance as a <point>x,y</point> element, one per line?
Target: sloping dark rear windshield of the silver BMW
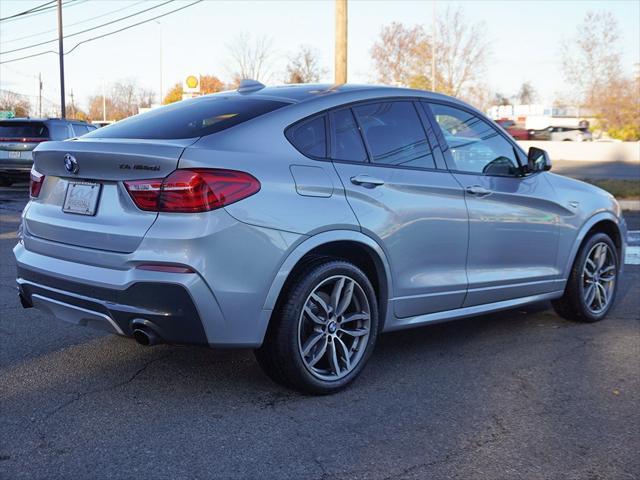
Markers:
<point>189,118</point>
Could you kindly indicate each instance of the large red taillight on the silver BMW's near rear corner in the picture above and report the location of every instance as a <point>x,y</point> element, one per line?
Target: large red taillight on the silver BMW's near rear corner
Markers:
<point>192,190</point>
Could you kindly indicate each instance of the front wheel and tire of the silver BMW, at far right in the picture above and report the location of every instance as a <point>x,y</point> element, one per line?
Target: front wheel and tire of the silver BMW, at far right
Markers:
<point>593,283</point>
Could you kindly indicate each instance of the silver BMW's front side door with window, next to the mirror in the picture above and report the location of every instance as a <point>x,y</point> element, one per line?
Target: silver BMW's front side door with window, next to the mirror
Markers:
<point>514,220</point>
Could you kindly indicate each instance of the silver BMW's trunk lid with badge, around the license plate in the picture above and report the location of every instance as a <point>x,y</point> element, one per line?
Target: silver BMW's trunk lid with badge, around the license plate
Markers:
<point>116,224</point>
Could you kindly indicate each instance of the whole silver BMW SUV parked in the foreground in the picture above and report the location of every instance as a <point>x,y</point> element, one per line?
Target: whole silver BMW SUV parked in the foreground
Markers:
<point>302,221</point>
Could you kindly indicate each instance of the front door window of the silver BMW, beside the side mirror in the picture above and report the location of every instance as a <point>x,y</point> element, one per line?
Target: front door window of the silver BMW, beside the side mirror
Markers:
<point>475,146</point>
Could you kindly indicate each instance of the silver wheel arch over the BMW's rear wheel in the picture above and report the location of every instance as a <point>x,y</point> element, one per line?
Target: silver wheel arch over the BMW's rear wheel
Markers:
<point>348,245</point>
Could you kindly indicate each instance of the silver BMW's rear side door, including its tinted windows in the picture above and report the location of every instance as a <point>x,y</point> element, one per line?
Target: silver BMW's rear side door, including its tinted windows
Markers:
<point>414,210</point>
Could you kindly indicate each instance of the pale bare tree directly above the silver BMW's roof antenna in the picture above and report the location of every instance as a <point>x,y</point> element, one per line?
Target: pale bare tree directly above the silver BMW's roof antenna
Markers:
<point>251,57</point>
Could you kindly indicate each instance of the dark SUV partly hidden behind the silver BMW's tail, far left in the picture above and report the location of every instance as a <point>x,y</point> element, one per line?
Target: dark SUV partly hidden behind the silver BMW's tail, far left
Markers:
<point>19,136</point>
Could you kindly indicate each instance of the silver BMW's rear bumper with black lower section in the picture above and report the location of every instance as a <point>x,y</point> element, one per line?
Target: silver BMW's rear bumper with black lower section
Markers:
<point>172,305</point>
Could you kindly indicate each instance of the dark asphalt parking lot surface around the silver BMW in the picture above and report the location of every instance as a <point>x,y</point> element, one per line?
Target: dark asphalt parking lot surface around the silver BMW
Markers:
<point>520,394</point>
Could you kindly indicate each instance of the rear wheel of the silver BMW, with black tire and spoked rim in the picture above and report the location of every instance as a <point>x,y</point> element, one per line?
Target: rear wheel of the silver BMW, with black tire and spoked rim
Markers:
<point>323,330</point>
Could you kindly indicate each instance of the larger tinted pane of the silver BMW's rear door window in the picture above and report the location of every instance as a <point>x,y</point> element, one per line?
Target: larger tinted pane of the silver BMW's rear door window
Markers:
<point>394,134</point>
